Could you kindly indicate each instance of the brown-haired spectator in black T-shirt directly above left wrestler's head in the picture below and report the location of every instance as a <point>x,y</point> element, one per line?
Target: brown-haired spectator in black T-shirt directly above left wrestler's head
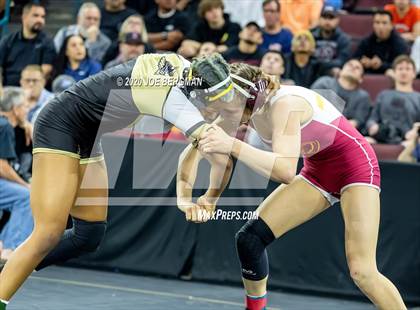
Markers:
<point>214,26</point>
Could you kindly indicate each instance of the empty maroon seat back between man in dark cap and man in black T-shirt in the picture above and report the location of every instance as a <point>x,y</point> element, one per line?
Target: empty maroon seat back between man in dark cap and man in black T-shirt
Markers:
<point>356,26</point>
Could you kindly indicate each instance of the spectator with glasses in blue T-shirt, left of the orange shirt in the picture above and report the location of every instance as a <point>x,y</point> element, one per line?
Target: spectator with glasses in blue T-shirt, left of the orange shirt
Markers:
<point>275,37</point>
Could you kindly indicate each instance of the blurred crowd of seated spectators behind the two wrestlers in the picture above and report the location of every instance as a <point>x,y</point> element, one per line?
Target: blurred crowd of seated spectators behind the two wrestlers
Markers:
<point>299,41</point>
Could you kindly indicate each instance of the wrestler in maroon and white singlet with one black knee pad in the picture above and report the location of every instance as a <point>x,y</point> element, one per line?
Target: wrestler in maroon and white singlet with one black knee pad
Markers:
<point>339,165</point>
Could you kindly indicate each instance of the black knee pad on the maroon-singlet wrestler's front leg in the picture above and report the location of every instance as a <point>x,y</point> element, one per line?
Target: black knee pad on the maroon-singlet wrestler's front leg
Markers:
<point>251,243</point>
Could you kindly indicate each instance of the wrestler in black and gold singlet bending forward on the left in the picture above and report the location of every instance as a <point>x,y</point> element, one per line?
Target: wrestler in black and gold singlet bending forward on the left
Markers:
<point>67,150</point>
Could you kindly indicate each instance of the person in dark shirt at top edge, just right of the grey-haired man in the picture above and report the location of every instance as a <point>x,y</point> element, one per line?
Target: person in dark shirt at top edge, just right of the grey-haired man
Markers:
<point>114,13</point>
